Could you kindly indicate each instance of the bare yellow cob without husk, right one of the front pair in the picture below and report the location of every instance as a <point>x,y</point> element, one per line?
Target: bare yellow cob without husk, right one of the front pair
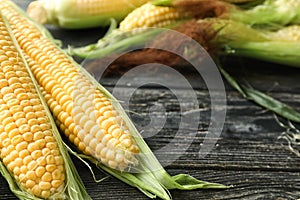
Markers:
<point>84,113</point>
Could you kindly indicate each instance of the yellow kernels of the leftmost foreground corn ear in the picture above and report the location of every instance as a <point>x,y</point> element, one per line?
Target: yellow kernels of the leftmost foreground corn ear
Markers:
<point>18,150</point>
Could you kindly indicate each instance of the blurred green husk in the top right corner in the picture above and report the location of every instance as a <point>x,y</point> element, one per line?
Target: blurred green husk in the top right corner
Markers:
<point>268,12</point>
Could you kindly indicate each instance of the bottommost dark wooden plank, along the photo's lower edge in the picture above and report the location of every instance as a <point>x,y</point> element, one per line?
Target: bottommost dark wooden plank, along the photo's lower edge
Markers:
<point>246,185</point>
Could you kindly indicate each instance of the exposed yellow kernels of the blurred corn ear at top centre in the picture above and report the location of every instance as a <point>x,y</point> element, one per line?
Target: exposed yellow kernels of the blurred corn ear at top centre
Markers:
<point>149,15</point>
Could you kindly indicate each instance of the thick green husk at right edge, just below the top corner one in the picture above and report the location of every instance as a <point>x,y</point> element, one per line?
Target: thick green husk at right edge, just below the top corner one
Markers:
<point>235,38</point>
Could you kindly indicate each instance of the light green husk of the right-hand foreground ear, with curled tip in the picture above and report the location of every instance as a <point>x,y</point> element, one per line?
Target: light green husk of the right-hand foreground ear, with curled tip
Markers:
<point>150,177</point>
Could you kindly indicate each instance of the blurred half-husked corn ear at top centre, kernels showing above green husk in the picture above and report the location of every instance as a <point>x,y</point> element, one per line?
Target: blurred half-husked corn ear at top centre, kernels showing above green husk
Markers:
<point>142,18</point>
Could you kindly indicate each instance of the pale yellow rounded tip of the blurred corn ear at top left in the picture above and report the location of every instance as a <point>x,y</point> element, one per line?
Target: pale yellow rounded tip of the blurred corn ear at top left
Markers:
<point>37,11</point>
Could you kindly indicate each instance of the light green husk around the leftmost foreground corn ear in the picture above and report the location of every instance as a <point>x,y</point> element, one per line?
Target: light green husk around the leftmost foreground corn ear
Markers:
<point>74,186</point>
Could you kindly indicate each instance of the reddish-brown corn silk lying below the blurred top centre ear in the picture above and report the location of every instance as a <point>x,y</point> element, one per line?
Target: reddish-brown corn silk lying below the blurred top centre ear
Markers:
<point>200,32</point>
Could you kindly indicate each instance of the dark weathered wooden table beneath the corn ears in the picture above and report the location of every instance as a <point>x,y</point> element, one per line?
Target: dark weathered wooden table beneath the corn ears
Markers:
<point>248,154</point>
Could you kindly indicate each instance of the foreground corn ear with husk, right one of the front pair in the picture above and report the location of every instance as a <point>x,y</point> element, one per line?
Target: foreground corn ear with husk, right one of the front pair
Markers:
<point>106,134</point>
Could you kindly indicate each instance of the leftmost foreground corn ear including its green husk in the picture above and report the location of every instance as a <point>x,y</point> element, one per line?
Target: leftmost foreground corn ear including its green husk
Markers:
<point>33,158</point>
